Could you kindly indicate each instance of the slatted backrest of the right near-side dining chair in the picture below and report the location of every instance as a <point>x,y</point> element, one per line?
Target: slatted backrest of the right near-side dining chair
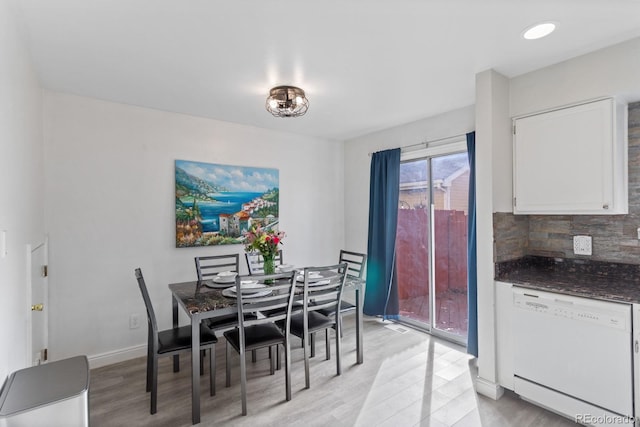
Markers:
<point>324,292</point>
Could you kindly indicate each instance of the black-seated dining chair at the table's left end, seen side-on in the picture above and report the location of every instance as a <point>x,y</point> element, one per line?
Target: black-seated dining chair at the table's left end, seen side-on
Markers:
<point>171,342</point>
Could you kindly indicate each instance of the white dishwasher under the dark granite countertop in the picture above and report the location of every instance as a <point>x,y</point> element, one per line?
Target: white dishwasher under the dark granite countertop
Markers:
<point>574,356</point>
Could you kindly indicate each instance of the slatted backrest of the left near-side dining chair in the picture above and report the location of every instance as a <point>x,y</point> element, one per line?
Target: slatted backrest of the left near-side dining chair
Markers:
<point>273,303</point>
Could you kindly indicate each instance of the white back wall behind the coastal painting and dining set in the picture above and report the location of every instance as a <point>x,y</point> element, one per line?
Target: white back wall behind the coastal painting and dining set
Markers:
<point>110,208</point>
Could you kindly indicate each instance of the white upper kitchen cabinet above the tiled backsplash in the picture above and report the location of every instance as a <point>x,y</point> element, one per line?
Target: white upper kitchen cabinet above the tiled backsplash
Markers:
<point>571,160</point>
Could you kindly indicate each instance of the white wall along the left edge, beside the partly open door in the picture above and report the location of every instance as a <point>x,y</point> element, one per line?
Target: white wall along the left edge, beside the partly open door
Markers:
<point>21,184</point>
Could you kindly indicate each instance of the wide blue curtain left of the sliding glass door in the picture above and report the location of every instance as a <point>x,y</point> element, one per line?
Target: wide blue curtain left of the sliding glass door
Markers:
<point>381,297</point>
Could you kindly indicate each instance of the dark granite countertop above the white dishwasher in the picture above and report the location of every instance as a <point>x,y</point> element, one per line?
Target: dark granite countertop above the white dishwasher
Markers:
<point>584,278</point>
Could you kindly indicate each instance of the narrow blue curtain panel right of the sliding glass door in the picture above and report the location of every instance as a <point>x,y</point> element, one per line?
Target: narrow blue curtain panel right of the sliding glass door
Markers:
<point>472,271</point>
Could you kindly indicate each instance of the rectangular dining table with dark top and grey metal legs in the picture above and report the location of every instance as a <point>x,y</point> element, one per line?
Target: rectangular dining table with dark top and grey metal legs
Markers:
<point>200,301</point>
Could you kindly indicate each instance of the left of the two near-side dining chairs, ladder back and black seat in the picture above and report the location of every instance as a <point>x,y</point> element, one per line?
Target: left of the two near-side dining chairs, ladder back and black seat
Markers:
<point>258,310</point>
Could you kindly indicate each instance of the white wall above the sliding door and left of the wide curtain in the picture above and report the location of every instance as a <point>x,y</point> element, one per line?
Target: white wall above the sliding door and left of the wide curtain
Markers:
<point>358,162</point>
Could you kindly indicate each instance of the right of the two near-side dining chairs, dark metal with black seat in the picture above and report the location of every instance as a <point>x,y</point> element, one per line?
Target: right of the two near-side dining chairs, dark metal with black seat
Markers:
<point>323,292</point>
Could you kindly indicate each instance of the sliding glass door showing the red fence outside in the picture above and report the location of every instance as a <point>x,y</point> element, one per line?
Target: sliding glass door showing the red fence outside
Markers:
<point>431,243</point>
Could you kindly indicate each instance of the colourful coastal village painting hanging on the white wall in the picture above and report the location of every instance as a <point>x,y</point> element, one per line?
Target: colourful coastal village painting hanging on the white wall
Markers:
<point>216,204</point>
